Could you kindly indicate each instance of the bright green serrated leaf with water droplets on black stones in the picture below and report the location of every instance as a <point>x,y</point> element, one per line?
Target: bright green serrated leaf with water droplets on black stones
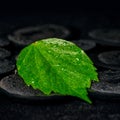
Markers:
<point>56,65</point>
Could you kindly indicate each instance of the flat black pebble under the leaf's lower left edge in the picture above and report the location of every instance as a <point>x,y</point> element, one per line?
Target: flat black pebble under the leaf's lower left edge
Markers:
<point>14,85</point>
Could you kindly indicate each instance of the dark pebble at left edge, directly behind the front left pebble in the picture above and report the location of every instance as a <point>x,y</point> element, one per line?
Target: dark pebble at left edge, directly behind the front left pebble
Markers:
<point>6,66</point>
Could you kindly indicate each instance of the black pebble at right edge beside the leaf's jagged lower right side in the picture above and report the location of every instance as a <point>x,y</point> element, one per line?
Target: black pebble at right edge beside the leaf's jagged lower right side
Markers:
<point>108,85</point>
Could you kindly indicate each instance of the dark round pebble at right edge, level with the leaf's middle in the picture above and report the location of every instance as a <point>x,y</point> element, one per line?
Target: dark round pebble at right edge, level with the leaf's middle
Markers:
<point>109,59</point>
